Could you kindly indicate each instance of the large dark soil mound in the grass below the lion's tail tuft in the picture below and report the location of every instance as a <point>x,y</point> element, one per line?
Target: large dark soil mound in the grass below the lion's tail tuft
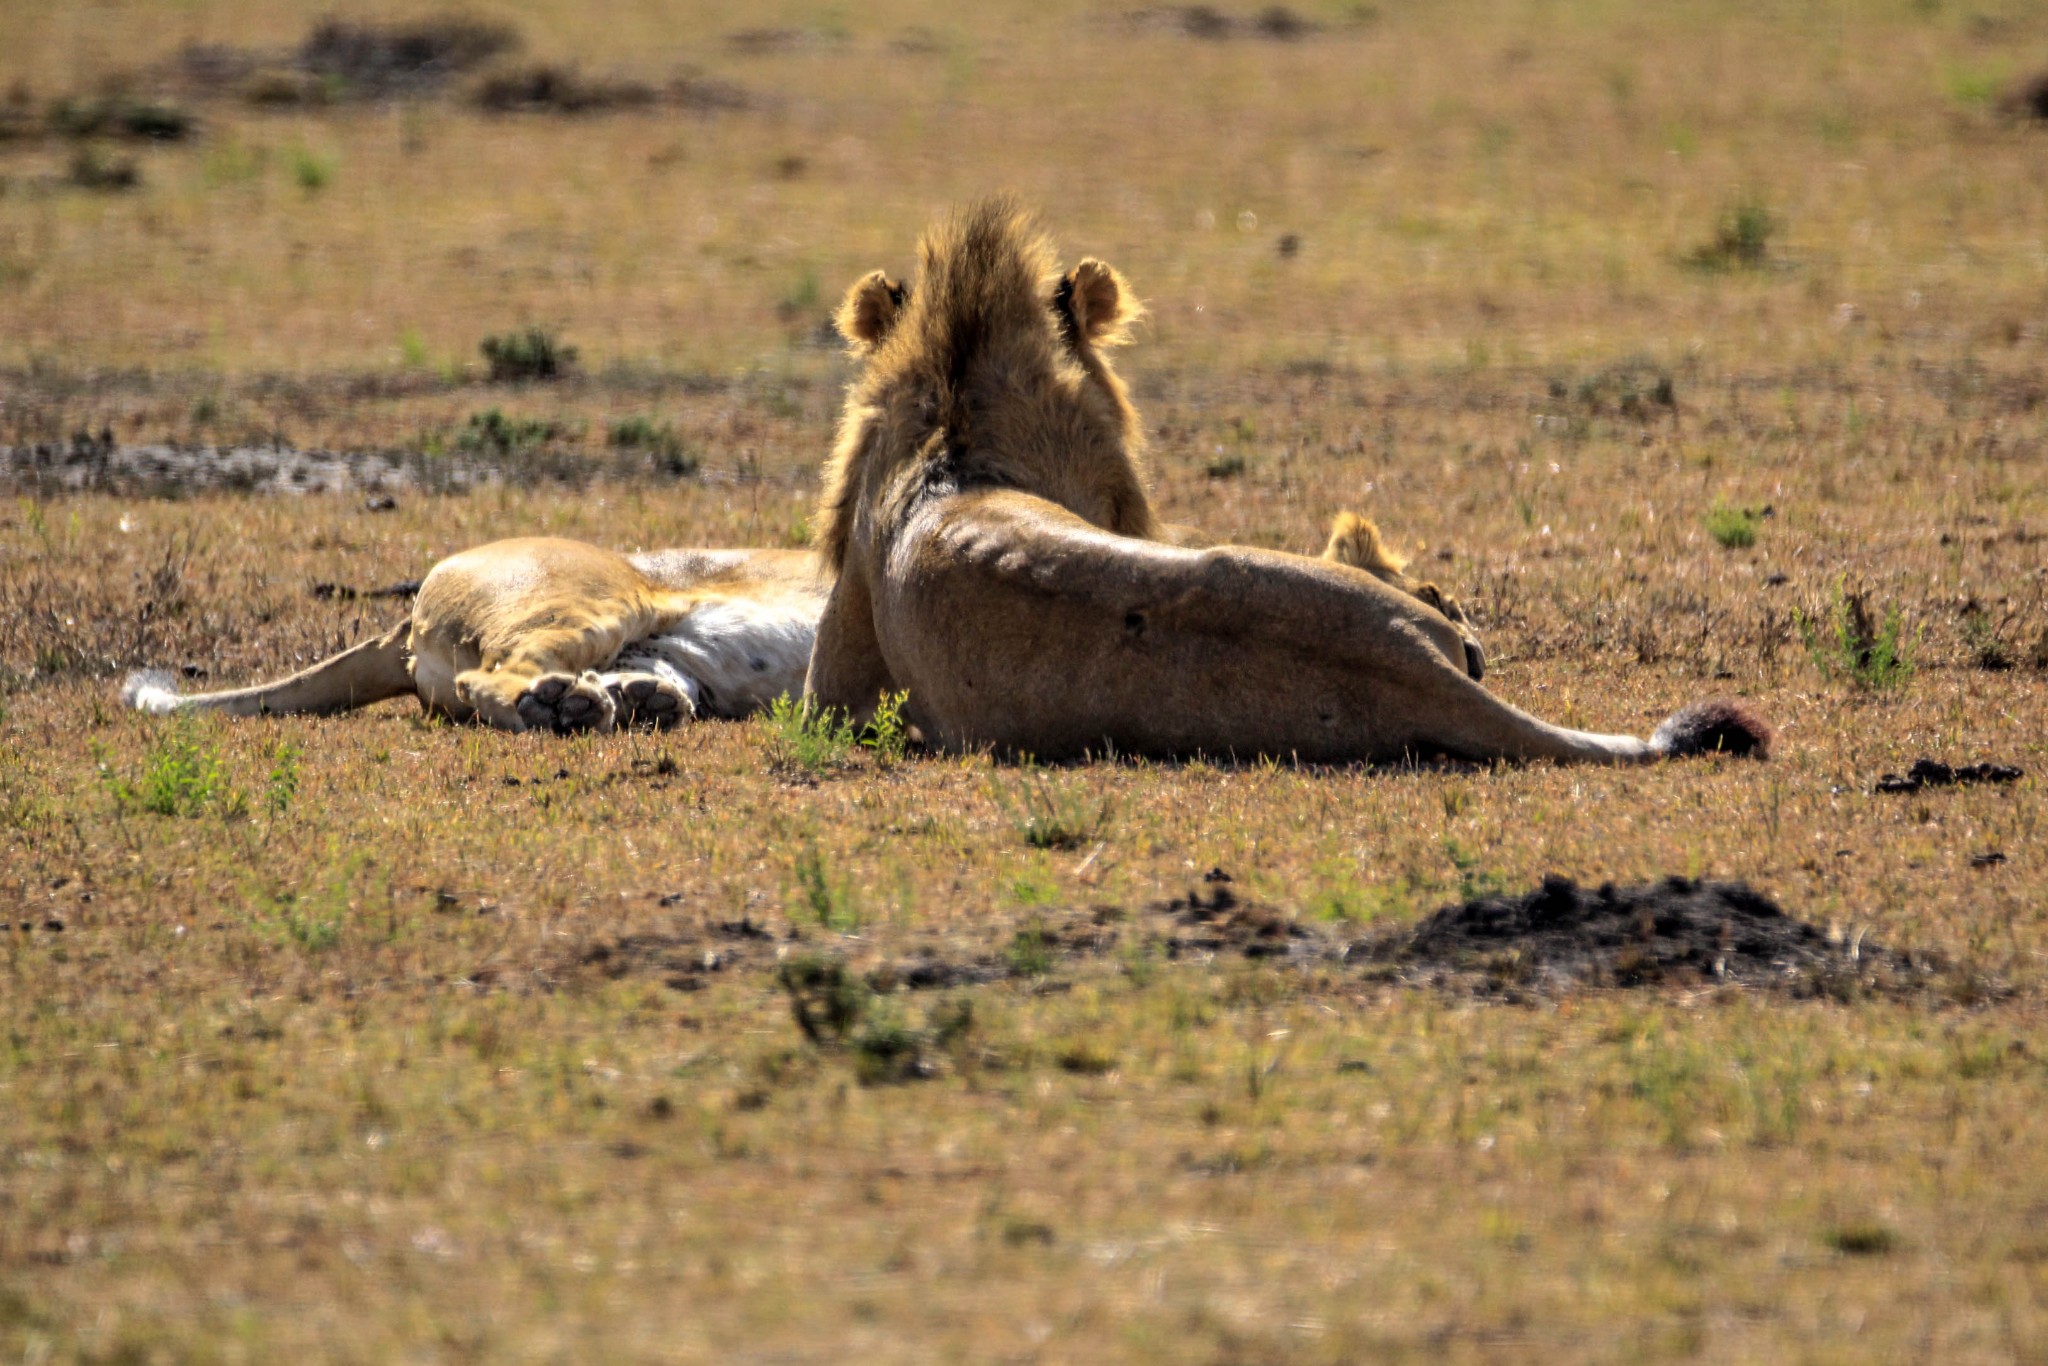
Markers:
<point>1678,931</point>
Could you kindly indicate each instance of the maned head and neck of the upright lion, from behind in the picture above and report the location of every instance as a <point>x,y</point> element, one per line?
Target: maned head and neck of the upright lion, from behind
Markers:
<point>988,372</point>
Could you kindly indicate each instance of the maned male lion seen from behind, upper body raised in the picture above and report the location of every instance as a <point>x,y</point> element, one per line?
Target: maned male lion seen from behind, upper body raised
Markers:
<point>998,558</point>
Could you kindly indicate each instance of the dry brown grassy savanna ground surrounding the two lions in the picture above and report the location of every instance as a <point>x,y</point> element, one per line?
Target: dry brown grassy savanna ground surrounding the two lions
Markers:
<point>1654,329</point>
